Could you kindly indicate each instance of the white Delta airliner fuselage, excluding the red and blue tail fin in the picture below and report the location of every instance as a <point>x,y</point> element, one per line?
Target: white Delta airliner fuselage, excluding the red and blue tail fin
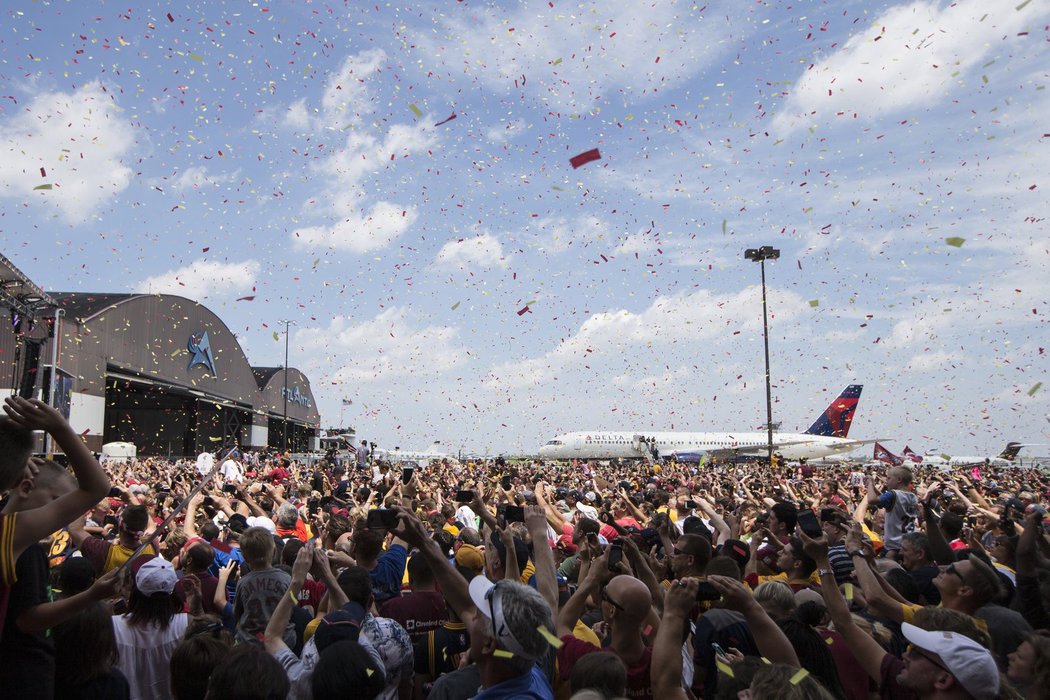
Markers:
<point>607,446</point>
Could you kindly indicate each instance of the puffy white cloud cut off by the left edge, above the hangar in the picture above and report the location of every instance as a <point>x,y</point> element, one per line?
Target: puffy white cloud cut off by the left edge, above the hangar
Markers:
<point>79,139</point>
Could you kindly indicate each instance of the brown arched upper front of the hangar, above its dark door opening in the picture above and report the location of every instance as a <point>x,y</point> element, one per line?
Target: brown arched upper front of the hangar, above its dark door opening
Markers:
<point>174,341</point>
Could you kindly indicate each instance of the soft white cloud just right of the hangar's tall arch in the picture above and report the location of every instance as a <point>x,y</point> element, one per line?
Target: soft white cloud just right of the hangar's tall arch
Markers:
<point>380,350</point>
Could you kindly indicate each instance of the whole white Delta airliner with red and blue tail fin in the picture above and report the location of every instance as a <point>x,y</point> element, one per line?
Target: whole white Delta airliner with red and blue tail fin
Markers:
<point>827,436</point>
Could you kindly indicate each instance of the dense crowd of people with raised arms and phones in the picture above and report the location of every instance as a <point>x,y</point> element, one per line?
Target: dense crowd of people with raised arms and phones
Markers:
<point>256,577</point>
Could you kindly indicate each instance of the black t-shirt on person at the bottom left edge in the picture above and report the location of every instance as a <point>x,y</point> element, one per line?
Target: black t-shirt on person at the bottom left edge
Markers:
<point>28,671</point>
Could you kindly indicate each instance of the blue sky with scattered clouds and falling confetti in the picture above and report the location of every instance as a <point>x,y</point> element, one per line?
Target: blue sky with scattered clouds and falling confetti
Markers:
<point>292,154</point>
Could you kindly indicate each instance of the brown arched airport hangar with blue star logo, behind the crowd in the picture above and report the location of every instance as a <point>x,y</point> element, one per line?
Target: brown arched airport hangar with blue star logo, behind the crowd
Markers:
<point>158,371</point>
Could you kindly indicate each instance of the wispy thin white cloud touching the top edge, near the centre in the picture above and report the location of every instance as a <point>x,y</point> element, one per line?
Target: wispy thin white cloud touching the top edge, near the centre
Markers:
<point>573,58</point>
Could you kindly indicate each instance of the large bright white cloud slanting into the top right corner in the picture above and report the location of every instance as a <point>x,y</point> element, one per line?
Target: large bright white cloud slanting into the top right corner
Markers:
<point>909,58</point>
